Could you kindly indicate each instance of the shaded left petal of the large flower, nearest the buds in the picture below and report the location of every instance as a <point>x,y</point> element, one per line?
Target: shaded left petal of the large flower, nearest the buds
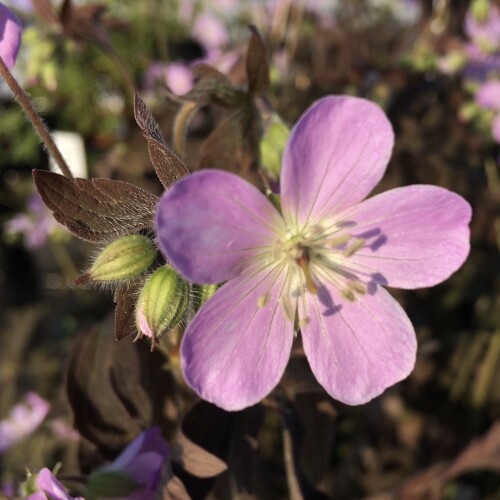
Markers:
<point>211,224</point>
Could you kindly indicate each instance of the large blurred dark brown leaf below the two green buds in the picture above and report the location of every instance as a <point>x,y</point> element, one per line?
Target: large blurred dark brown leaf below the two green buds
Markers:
<point>117,389</point>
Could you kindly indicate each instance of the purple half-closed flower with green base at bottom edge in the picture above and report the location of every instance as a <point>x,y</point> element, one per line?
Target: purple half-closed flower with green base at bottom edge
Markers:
<point>137,471</point>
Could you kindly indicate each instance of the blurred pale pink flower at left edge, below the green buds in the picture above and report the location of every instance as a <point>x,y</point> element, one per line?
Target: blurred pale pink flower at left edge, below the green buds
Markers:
<point>23,419</point>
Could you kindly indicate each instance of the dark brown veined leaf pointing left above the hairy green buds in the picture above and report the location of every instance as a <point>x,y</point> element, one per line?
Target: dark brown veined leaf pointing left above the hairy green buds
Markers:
<point>96,210</point>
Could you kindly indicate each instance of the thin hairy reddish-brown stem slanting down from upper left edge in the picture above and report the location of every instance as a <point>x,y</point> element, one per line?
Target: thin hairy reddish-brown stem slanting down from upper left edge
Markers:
<point>35,119</point>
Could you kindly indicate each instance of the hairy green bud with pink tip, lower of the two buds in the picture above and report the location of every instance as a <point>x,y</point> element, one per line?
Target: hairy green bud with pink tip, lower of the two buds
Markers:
<point>162,303</point>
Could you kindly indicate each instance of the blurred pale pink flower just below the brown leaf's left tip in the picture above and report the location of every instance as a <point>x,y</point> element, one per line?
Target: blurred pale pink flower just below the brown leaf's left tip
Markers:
<point>36,225</point>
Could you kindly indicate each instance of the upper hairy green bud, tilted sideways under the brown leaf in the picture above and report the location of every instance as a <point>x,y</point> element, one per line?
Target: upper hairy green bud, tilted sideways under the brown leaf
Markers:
<point>123,259</point>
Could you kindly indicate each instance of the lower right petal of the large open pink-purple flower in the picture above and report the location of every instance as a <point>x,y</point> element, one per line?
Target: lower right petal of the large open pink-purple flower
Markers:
<point>358,349</point>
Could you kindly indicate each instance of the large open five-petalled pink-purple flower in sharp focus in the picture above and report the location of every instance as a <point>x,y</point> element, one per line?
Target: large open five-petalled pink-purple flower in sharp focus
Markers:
<point>318,265</point>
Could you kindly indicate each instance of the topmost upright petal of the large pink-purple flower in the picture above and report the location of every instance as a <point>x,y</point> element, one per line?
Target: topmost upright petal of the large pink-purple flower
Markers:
<point>336,154</point>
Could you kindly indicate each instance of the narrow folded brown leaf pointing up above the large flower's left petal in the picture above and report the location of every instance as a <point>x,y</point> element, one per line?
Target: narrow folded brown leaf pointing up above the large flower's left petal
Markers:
<point>167,165</point>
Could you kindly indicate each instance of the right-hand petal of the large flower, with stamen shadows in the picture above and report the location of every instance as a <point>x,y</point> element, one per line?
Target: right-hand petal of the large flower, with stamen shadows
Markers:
<point>415,236</point>
